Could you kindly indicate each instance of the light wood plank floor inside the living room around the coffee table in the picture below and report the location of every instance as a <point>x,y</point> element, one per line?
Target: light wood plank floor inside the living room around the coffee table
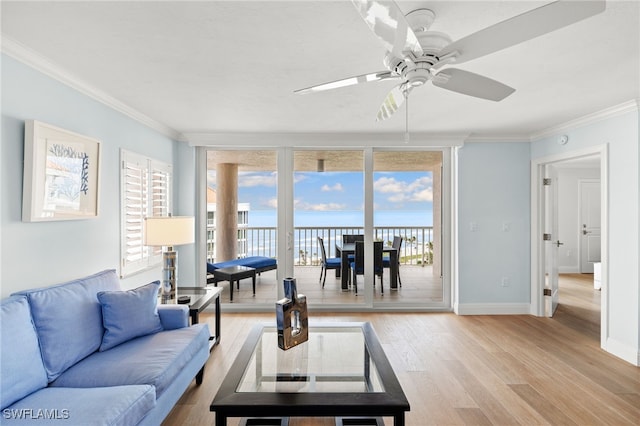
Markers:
<point>474,370</point>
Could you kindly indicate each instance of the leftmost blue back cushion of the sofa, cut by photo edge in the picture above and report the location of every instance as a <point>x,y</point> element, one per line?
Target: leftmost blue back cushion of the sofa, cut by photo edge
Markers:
<point>22,371</point>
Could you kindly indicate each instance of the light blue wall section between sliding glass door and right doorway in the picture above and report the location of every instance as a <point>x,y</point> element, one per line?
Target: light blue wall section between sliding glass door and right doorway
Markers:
<point>494,223</point>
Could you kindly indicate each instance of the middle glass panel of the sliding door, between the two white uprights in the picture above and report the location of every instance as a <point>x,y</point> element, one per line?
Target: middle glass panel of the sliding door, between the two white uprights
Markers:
<point>328,203</point>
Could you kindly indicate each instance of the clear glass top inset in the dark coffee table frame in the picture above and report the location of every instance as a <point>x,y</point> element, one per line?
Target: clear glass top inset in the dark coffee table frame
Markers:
<point>334,359</point>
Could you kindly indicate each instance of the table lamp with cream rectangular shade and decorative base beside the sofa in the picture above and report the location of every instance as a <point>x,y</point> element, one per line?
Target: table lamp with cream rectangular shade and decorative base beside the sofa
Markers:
<point>168,231</point>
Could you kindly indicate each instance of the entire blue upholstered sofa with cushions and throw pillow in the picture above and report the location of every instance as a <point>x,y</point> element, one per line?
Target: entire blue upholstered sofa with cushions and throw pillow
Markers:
<point>82,353</point>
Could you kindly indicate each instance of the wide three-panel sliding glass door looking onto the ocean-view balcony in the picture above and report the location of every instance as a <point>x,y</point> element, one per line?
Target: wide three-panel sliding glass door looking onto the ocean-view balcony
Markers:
<point>290,203</point>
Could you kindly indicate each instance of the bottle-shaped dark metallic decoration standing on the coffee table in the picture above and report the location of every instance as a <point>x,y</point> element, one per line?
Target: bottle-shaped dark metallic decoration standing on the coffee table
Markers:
<point>291,317</point>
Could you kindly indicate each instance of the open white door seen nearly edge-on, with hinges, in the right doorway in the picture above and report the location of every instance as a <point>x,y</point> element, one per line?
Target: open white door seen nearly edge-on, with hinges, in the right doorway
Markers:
<point>550,240</point>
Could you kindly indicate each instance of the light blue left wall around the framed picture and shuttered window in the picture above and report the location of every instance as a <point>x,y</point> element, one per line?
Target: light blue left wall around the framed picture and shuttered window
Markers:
<point>39,254</point>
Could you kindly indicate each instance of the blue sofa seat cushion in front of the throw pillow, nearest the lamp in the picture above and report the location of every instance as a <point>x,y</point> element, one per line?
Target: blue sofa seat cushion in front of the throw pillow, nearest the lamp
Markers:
<point>155,359</point>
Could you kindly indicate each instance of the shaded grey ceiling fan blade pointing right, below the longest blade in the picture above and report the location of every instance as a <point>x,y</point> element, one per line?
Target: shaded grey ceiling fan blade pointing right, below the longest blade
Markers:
<point>471,84</point>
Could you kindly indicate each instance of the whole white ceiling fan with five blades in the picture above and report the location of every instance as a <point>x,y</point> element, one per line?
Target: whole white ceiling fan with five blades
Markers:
<point>415,54</point>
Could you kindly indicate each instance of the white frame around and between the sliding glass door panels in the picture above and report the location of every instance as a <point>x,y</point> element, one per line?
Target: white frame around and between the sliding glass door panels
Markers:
<point>285,222</point>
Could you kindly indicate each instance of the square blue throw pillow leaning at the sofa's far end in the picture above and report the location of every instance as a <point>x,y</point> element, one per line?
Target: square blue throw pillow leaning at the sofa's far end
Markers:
<point>129,314</point>
